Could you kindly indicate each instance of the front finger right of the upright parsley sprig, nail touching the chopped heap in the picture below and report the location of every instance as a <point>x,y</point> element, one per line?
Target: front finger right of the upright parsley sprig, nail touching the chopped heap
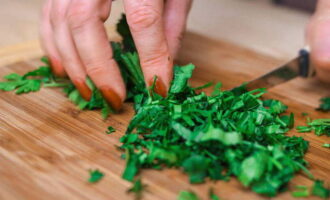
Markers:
<point>145,18</point>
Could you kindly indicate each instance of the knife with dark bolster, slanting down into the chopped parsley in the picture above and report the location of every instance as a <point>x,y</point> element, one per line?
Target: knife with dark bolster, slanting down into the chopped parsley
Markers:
<point>300,66</point>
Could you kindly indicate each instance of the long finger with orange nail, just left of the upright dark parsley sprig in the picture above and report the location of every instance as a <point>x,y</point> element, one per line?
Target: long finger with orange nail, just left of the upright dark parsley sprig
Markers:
<point>91,40</point>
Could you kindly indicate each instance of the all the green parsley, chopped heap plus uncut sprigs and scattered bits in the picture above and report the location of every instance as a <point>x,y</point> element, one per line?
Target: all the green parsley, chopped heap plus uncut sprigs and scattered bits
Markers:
<point>209,137</point>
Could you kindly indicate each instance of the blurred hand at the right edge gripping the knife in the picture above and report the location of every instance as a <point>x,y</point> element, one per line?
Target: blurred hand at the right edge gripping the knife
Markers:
<point>318,37</point>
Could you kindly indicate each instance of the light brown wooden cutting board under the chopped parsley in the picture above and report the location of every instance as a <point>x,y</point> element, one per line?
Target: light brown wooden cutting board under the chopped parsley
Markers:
<point>47,145</point>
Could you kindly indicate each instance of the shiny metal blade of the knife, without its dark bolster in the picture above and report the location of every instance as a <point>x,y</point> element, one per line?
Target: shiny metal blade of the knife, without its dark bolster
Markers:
<point>280,75</point>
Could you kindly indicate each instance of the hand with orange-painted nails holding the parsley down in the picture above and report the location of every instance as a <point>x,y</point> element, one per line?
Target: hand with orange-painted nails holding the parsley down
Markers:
<point>74,38</point>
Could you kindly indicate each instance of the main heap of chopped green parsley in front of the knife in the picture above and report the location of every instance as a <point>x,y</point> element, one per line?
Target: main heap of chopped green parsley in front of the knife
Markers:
<point>215,136</point>
